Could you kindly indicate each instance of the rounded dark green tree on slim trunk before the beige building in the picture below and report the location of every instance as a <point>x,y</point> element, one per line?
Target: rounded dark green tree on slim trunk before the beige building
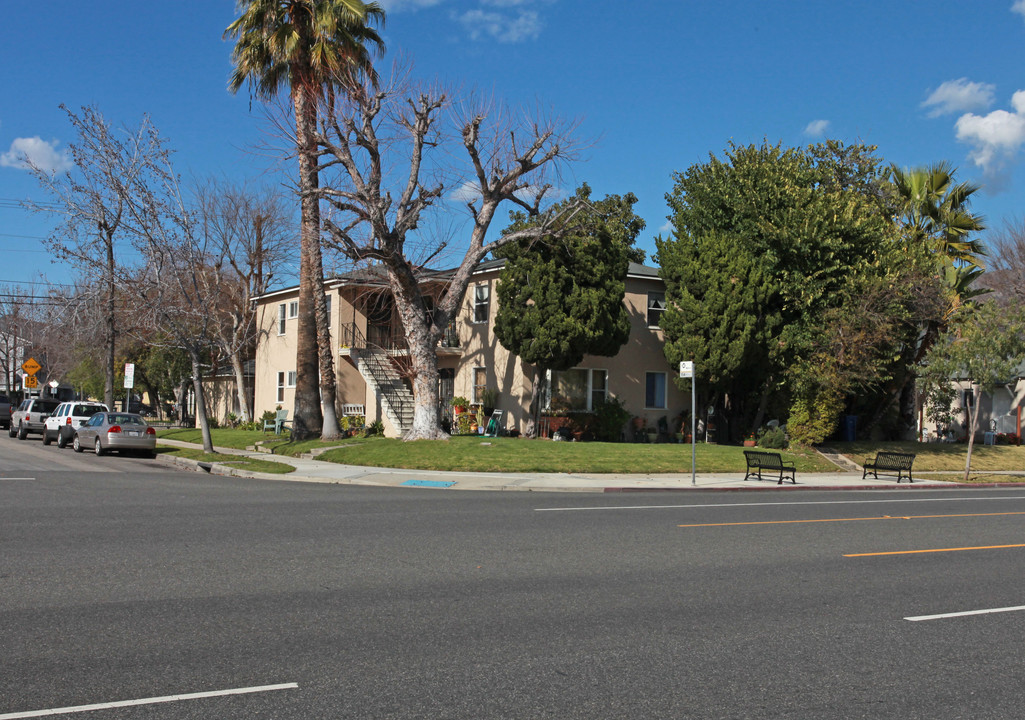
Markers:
<point>562,298</point>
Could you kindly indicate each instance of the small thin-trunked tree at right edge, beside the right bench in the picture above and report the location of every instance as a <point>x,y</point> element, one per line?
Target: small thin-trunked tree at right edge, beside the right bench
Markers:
<point>985,346</point>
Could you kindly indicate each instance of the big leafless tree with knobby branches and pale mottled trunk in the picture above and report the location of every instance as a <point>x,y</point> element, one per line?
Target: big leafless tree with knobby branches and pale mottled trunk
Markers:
<point>386,157</point>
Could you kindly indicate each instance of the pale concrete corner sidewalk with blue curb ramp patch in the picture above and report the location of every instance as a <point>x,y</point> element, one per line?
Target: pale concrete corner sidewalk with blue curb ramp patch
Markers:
<point>318,471</point>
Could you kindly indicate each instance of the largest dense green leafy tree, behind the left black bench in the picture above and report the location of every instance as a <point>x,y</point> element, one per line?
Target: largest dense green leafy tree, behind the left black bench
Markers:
<point>766,243</point>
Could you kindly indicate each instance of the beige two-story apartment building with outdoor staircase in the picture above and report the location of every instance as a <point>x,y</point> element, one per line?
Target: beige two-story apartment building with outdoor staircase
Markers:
<point>372,354</point>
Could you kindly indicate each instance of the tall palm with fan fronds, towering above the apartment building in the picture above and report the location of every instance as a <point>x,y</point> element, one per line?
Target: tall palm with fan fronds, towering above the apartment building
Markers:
<point>309,46</point>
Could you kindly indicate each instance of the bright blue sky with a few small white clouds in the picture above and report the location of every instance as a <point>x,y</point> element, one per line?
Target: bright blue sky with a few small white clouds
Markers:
<point>657,87</point>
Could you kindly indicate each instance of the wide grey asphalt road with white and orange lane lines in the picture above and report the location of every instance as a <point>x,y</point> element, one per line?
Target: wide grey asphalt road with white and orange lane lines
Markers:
<point>122,581</point>
